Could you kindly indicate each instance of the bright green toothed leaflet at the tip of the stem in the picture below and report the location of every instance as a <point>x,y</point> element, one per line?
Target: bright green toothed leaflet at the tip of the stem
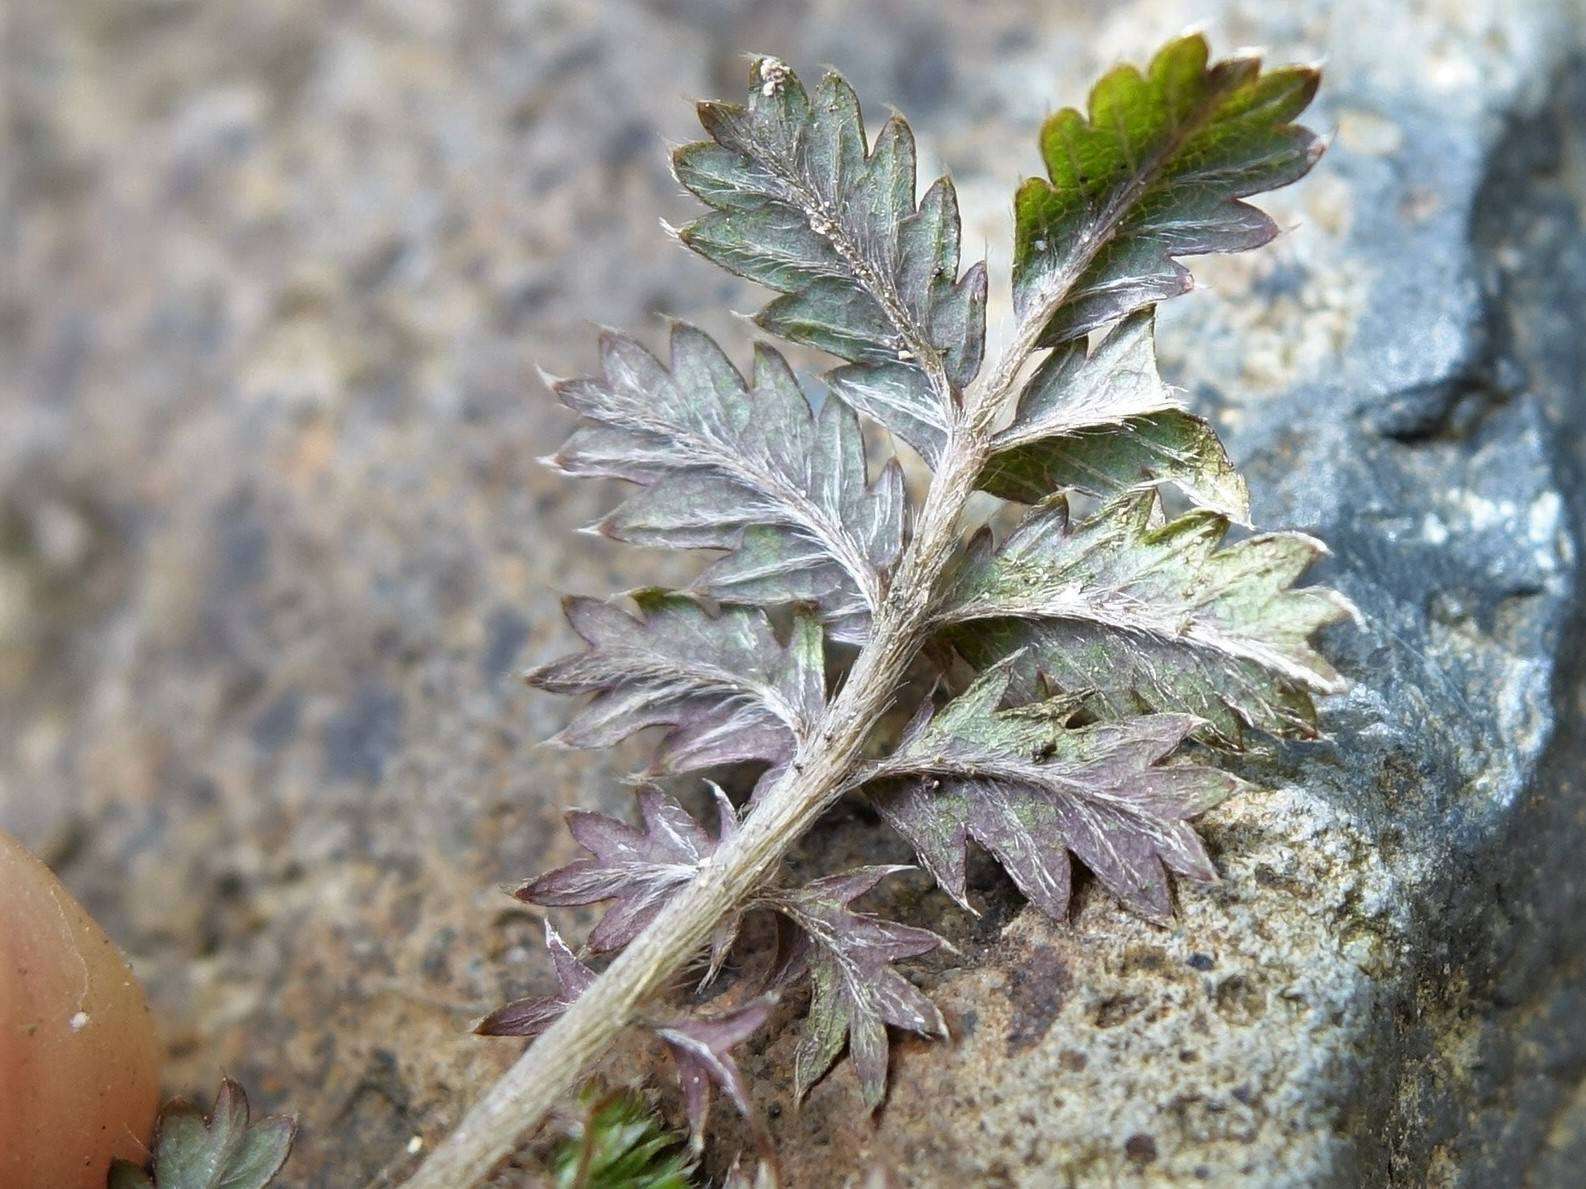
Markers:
<point>1154,172</point>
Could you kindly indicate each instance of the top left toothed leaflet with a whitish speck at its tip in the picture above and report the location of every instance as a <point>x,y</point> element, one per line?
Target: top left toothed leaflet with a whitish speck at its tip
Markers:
<point>803,207</point>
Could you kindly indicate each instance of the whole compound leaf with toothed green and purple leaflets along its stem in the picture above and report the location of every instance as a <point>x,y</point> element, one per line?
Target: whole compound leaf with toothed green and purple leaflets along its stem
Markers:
<point>1103,644</point>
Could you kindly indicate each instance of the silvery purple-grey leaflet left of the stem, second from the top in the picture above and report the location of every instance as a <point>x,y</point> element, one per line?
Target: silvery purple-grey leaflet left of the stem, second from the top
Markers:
<point>745,467</point>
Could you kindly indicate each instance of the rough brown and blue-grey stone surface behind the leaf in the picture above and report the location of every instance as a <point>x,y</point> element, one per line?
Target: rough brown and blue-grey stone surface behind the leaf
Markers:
<point>272,545</point>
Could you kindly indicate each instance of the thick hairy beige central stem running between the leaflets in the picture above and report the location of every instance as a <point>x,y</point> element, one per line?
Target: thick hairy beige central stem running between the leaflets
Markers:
<point>819,774</point>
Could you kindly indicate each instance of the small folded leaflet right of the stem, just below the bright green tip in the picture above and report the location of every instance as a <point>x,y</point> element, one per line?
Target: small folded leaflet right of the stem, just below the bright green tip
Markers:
<point>1105,422</point>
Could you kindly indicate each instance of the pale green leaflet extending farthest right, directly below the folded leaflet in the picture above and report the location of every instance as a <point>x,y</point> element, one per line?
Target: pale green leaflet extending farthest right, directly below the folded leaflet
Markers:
<point>1151,616</point>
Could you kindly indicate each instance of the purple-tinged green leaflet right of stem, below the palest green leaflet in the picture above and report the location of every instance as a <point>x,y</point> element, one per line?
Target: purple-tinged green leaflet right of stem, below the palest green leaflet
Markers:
<point>1032,789</point>
